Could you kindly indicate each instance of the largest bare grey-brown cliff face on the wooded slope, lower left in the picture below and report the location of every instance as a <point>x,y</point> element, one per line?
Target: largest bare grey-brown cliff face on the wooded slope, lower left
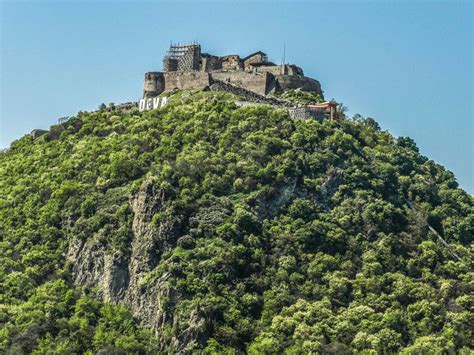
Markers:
<point>118,277</point>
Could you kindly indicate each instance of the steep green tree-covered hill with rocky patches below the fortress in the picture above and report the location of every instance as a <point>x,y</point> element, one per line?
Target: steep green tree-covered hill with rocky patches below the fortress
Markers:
<point>207,226</point>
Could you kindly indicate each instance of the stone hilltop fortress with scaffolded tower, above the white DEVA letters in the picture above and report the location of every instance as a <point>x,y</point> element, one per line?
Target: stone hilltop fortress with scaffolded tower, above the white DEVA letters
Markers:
<point>186,67</point>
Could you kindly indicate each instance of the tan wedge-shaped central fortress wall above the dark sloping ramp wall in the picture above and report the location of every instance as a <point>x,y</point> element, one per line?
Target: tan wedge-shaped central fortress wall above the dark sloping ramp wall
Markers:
<point>258,83</point>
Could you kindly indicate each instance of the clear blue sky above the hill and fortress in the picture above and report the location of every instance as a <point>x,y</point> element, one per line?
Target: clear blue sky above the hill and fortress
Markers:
<point>408,64</point>
